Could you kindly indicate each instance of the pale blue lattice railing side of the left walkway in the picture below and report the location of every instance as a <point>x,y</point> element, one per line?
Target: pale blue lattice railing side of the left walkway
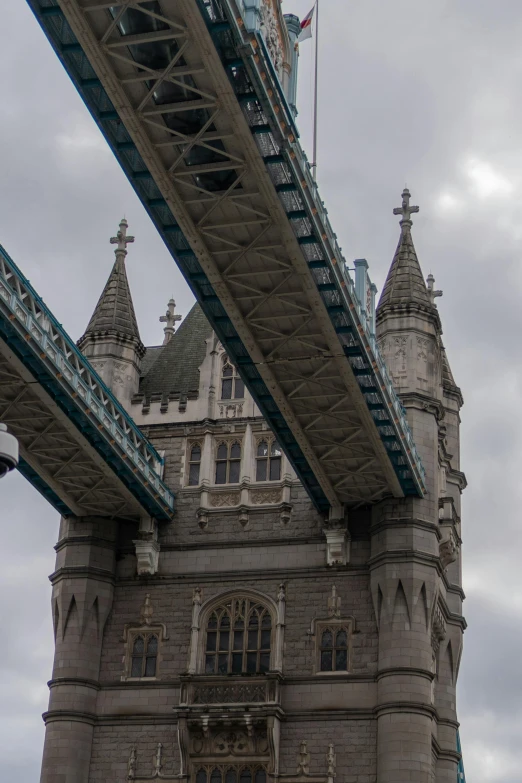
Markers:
<point>51,343</point>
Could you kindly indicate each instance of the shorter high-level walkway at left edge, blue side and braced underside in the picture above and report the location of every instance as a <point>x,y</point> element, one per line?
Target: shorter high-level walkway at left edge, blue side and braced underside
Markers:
<point>78,446</point>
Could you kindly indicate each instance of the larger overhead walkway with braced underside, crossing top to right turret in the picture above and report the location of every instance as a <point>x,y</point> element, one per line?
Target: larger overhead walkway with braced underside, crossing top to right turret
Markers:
<point>191,105</point>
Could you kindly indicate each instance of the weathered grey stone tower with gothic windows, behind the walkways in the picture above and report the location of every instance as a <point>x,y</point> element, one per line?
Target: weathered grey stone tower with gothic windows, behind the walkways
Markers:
<point>378,706</point>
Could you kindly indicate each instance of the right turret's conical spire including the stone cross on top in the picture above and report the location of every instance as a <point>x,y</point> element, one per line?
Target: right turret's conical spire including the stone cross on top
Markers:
<point>405,288</point>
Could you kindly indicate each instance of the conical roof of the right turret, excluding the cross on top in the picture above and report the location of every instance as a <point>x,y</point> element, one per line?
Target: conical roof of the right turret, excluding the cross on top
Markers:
<point>405,286</point>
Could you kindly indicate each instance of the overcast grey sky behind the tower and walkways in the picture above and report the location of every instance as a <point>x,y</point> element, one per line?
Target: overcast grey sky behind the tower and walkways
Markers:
<point>423,93</point>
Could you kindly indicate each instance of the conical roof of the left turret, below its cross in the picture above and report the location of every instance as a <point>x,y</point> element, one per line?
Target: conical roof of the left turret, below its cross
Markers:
<point>114,312</point>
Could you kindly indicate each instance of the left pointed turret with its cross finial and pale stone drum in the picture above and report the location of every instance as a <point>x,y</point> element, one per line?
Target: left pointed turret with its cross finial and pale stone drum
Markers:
<point>112,340</point>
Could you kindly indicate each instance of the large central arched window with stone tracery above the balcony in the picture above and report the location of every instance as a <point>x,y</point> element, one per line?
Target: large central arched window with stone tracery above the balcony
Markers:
<point>238,638</point>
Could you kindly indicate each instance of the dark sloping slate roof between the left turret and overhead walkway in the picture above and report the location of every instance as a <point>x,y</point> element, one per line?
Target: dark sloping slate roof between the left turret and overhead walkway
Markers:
<point>176,369</point>
